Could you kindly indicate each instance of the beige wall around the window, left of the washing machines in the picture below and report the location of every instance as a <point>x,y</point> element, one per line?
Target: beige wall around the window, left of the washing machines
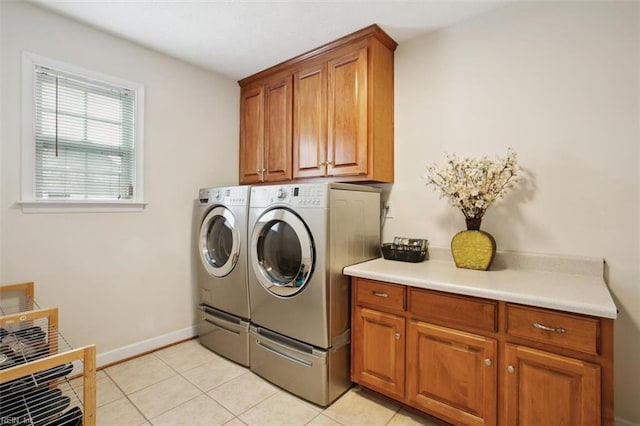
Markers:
<point>118,278</point>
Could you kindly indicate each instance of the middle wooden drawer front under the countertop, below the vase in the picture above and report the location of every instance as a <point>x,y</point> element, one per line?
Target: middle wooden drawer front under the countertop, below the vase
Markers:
<point>453,310</point>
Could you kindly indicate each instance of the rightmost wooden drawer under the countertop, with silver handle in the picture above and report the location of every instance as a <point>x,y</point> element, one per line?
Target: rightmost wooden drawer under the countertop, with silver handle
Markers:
<point>565,330</point>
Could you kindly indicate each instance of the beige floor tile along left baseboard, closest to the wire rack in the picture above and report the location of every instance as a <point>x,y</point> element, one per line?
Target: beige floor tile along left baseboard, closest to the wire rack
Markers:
<point>138,373</point>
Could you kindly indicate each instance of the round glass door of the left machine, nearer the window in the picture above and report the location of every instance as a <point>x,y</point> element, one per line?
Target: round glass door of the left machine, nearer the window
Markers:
<point>219,242</point>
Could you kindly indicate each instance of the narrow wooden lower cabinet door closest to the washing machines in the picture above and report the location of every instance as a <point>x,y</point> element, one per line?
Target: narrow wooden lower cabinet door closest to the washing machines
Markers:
<point>378,351</point>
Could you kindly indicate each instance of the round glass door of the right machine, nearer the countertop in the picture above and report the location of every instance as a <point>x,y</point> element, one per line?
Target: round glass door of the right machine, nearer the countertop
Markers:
<point>282,252</point>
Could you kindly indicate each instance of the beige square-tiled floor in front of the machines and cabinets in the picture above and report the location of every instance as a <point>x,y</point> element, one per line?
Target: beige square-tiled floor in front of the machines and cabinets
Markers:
<point>186,384</point>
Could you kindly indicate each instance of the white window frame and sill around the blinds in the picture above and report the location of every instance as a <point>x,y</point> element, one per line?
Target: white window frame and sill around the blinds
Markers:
<point>28,202</point>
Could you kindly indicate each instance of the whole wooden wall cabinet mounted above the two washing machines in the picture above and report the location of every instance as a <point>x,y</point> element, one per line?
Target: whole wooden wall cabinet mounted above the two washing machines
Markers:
<point>339,122</point>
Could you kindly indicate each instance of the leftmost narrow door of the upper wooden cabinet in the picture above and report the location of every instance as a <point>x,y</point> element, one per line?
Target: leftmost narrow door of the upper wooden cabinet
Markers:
<point>251,134</point>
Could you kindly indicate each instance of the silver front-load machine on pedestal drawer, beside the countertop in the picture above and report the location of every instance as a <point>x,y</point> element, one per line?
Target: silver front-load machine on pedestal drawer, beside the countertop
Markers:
<point>301,238</point>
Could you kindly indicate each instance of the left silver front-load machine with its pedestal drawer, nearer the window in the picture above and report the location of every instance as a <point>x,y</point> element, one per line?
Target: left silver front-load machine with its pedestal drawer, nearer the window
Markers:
<point>220,221</point>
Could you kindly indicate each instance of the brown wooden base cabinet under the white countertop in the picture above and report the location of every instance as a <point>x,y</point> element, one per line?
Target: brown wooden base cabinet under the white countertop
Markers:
<point>473,361</point>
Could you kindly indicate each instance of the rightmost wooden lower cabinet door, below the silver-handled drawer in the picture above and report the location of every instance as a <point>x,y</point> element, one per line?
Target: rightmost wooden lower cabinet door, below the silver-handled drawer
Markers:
<point>543,388</point>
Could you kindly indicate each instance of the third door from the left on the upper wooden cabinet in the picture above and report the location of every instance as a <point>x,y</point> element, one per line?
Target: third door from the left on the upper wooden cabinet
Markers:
<point>310,121</point>
